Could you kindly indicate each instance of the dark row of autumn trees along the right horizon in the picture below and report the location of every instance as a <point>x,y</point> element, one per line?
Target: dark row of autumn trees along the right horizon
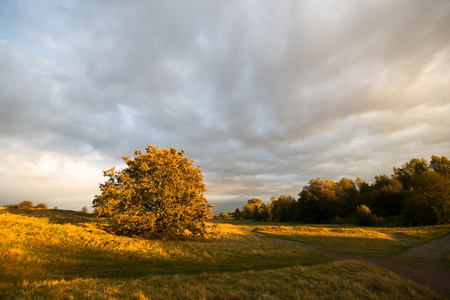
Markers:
<point>418,193</point>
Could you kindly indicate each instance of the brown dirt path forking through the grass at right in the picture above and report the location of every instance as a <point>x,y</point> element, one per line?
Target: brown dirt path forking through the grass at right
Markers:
<point>422,263</point>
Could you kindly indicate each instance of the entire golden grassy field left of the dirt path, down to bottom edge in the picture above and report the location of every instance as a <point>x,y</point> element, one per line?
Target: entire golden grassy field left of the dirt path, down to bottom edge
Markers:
<point>55,254</point>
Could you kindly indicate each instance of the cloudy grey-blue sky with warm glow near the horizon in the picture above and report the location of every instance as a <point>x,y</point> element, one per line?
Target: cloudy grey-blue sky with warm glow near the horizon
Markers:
<point>264,95</point>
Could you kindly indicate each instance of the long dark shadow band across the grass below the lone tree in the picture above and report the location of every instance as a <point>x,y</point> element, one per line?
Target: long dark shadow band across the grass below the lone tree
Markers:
<point>73,261</point>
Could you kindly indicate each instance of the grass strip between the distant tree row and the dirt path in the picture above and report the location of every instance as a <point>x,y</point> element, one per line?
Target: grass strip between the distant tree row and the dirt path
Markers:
<point>357,241</point>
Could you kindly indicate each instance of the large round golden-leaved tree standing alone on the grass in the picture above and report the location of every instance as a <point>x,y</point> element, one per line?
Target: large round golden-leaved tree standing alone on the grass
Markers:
<point>159,195</point>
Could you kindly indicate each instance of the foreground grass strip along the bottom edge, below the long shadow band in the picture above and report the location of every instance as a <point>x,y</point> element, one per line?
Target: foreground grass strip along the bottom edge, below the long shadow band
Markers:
<point>336,280</point>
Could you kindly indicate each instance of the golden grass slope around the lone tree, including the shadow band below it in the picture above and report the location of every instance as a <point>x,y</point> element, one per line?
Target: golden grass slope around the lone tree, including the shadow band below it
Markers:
<point>66,250</point>
